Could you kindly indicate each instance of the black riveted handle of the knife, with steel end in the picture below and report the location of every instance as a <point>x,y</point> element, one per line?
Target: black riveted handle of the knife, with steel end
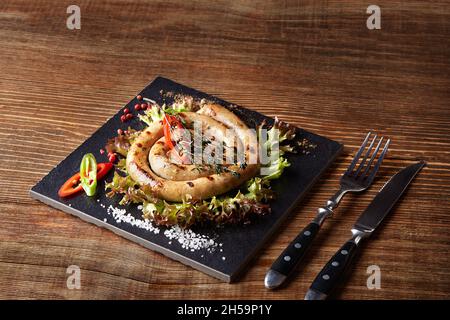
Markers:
<point>332,272</point>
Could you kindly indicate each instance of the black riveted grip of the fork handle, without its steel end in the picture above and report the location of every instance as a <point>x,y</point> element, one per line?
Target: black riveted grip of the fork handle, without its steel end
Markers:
<point>291,257</point>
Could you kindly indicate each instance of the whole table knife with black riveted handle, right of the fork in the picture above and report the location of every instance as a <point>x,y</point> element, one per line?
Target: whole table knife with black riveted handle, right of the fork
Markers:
<point>366,224</point>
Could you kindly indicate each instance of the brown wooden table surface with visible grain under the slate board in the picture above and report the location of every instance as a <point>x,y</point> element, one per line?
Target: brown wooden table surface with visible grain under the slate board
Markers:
<point>312,63</point>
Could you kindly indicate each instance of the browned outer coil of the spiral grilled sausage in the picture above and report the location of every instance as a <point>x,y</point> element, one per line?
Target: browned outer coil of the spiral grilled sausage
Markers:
<point>201,187</point>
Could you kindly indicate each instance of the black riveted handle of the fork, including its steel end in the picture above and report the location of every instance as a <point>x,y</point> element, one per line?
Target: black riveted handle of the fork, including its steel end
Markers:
<point>291,257</point>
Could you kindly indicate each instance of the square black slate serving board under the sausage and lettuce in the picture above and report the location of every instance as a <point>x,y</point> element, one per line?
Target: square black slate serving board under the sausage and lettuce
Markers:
<point>238,244</point>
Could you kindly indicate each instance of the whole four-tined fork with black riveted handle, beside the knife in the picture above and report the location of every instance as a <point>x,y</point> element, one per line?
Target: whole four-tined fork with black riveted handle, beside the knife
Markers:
<point>357,178</point>
